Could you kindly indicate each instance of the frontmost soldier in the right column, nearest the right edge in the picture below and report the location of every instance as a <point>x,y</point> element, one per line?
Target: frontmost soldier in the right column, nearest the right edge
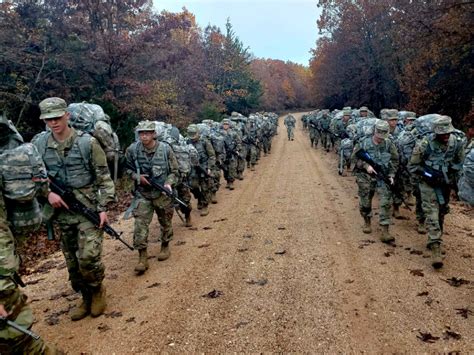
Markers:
<point>438,159</point>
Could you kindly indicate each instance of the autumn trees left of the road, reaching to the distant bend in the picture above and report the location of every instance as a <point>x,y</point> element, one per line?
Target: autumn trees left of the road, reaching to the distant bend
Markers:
<point>136,63</point>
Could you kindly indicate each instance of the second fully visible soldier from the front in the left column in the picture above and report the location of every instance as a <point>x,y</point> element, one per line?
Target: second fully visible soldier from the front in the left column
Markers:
<point>151,159</point>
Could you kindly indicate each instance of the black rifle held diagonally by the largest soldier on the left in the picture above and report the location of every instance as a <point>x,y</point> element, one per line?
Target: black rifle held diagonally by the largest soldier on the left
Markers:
<point>77,206</point>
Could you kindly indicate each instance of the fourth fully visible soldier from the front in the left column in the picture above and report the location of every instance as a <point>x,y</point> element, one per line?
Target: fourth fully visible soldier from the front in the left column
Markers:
<point>232,147</point>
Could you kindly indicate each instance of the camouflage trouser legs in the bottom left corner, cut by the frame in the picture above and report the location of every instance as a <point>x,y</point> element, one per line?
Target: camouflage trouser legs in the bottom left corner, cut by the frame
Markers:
<point>11,340</point>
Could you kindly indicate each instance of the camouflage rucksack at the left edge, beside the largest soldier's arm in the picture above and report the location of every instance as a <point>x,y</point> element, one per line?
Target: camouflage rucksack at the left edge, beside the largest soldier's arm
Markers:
<point>19,168</point>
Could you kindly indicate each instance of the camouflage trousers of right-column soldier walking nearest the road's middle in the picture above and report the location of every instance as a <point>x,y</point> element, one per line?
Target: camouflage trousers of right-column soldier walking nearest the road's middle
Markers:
<point>367,188</point>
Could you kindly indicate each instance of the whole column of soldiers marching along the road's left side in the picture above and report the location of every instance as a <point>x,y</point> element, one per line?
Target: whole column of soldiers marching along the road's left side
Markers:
<point>71,170</point>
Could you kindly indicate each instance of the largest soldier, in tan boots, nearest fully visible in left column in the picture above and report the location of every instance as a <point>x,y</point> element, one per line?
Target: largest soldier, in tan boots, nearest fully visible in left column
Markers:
<point>77,160</point>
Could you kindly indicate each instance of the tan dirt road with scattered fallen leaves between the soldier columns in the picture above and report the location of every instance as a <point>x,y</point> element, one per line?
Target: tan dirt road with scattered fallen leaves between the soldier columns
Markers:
<point>286,268</point>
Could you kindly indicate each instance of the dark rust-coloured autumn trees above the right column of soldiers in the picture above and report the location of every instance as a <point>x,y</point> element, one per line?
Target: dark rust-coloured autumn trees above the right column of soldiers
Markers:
<point>415,55</point>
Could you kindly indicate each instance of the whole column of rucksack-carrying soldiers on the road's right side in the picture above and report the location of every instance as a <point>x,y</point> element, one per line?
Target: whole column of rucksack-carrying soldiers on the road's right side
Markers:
<point>405,159</point>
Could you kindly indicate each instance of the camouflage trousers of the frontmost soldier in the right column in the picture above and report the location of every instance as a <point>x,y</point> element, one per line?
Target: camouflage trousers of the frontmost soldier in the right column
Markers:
<point>434,210</point>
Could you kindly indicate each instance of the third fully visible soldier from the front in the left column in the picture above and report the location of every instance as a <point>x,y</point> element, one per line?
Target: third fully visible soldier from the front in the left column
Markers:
<point>201,178</point>
